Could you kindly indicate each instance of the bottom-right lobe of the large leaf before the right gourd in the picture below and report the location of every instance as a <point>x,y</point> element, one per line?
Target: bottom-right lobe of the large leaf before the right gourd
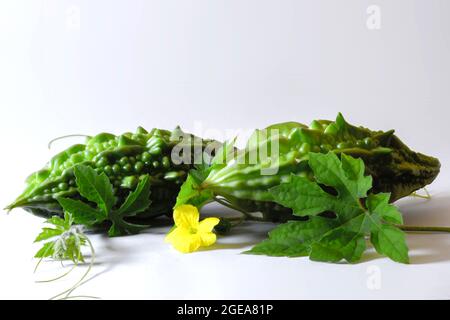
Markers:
<point>390,241</point>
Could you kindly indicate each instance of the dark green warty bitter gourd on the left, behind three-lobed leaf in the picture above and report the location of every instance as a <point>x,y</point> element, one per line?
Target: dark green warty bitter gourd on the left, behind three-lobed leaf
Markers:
<point>123,159</point>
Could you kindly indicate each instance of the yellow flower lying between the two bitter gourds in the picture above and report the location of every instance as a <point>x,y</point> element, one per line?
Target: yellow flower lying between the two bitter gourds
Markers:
<point>189,234</point>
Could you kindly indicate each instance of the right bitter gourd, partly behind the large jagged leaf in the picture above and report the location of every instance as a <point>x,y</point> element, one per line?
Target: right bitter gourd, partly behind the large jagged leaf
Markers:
<point>395,168</point>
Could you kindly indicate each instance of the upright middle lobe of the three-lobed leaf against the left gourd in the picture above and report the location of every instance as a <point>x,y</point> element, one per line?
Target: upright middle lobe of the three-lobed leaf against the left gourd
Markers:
<point>95,187</point>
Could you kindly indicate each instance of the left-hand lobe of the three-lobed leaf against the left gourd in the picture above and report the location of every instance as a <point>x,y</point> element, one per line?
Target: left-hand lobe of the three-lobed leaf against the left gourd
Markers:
<point>81,212</point>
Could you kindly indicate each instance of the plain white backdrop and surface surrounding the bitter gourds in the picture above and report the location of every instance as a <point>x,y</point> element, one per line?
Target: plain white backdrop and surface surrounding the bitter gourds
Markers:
<point>212,66</point>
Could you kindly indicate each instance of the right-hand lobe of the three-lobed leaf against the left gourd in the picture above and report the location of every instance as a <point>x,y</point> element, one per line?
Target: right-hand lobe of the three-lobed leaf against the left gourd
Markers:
<point>138,200</point>
